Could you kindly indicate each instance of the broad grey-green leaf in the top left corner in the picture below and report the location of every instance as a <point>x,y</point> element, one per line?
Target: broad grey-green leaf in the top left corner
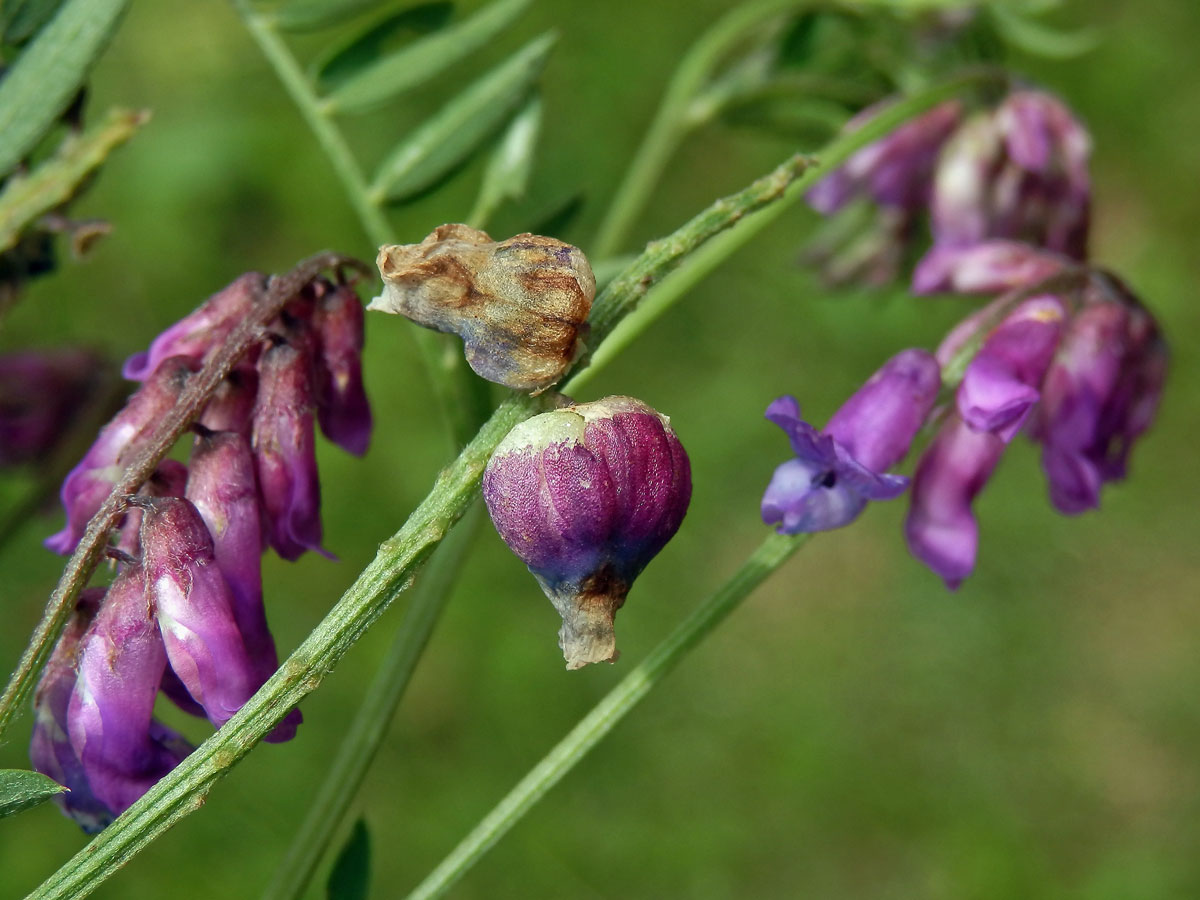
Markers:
<point>47,75</point>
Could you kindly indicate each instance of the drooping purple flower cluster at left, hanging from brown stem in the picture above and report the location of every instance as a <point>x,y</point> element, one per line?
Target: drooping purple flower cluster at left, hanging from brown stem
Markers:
<point>185,614</point>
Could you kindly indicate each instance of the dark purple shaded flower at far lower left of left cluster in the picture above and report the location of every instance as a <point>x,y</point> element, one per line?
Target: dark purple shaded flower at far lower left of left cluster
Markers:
<point>50,748</point>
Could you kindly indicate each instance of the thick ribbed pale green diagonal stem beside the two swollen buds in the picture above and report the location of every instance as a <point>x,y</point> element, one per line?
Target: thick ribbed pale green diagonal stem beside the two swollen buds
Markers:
<point>393,571</point>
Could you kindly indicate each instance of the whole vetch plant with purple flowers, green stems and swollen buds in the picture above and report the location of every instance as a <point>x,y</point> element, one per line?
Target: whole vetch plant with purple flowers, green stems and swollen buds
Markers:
<point>949,175</point>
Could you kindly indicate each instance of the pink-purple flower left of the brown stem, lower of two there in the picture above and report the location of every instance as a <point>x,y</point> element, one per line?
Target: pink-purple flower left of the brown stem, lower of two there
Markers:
<point>89,484</point>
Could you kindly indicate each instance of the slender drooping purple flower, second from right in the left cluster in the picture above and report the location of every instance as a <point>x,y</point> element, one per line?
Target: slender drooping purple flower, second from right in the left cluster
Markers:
<point>285,452</point>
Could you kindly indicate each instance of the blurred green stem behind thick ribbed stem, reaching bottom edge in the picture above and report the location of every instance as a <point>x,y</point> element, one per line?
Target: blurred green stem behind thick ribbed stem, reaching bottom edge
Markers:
<point>375,716</point>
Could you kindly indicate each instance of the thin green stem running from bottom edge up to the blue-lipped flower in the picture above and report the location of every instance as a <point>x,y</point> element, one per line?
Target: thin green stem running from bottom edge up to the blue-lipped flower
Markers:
<point>772,554</point>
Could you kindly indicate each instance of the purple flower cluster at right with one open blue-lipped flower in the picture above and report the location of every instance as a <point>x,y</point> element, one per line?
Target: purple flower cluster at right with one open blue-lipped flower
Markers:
<point>1065,353</point>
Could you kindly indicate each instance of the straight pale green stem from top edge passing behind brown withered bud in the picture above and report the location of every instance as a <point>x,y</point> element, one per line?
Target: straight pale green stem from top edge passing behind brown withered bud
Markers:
<point>463,397</point>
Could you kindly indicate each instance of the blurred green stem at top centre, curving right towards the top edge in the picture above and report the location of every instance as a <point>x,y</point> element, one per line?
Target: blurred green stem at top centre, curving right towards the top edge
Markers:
<point>674,119</point>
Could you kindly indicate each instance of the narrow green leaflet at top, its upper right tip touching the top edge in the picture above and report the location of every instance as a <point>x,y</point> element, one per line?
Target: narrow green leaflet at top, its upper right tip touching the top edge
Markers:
<point>422,62</point>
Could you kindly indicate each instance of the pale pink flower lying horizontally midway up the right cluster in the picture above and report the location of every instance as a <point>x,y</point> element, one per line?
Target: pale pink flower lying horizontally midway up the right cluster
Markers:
<point>991,267</point>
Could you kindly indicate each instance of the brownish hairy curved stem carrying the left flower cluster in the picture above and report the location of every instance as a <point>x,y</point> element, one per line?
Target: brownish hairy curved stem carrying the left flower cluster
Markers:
<point>91,549</point>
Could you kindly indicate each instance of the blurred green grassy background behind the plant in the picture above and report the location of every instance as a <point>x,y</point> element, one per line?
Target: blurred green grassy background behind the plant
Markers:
<point>855,731</point>
